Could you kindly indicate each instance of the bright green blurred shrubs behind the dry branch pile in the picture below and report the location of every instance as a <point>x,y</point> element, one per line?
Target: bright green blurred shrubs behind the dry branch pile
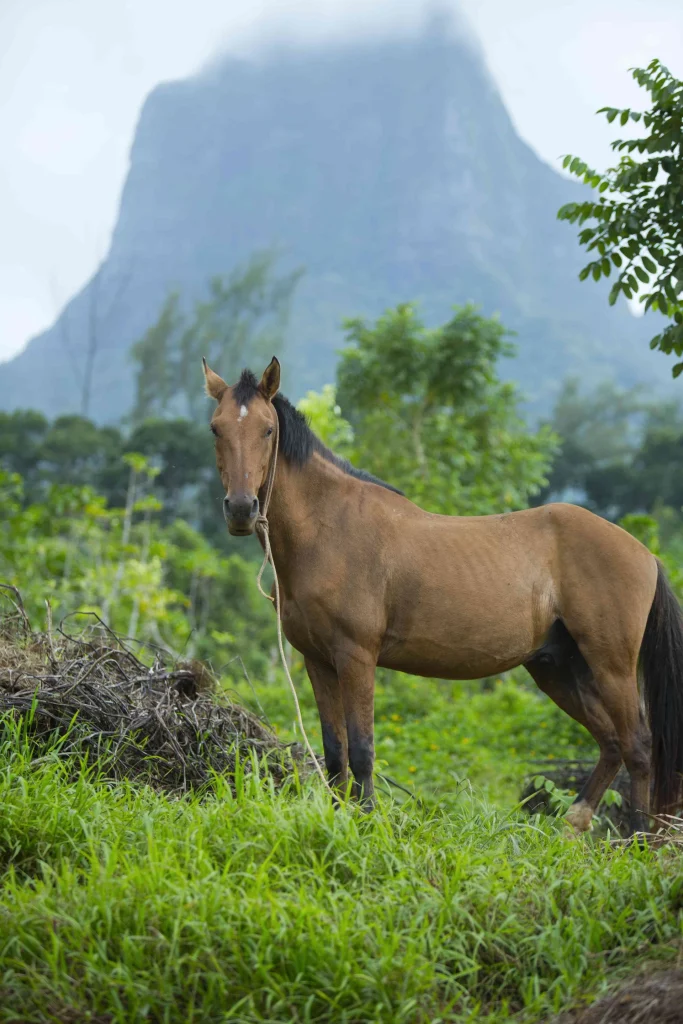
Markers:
<point>164,584</point>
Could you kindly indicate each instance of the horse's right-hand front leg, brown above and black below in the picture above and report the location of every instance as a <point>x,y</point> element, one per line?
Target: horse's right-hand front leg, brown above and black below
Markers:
<point>357,678</point>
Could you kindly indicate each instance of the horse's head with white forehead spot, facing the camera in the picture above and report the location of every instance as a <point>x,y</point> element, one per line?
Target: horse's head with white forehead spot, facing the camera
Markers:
<point>244,425</point>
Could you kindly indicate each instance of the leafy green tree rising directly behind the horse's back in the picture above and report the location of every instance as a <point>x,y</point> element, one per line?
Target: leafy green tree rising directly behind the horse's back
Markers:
<point>430,414</point>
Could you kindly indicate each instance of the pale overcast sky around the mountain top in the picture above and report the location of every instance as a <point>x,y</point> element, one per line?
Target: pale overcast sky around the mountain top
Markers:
<point>75,73</point>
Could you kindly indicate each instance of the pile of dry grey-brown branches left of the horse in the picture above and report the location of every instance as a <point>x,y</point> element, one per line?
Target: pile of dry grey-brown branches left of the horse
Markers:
<point>164,723</point>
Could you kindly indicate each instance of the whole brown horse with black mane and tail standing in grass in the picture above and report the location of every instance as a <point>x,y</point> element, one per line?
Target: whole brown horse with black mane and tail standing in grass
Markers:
<point>367,579</point>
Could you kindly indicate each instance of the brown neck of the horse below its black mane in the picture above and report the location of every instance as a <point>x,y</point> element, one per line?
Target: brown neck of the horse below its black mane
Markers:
<point>300,498</point>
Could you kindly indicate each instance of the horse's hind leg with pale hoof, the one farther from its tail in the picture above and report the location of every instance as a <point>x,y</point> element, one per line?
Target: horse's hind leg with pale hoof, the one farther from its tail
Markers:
<point>562,672</point>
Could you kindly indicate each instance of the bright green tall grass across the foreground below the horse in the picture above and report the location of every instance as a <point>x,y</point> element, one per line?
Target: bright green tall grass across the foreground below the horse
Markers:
<point>266,907</point>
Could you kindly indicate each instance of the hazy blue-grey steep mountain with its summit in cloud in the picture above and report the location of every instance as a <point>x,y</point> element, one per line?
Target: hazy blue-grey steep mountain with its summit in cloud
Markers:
<point>391,170</point>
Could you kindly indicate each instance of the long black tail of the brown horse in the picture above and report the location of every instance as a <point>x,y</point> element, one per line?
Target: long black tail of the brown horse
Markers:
<point>662,668</point>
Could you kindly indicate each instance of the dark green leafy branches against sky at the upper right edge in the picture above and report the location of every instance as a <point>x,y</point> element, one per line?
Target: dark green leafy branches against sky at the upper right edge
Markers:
<point>638,217</point>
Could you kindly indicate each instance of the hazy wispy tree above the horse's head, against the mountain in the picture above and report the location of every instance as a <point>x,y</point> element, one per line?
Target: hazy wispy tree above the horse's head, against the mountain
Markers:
<point>243,318</point>
